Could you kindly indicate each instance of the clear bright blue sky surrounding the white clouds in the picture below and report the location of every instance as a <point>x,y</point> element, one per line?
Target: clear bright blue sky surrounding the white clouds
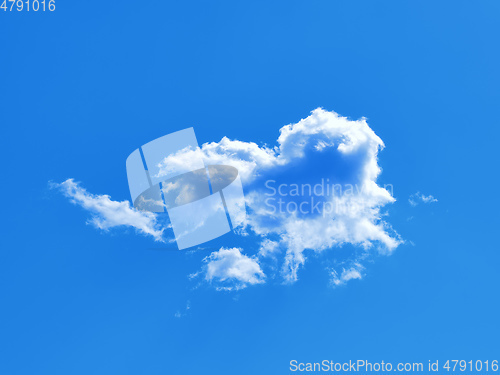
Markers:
<point>84,86</point>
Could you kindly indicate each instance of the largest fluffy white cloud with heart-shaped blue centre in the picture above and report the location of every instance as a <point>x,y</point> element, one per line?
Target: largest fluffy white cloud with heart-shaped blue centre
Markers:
<point>315,190</point>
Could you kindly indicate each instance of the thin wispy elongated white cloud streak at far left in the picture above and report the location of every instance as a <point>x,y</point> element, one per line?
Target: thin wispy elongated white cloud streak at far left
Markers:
<point>107,213</point>
